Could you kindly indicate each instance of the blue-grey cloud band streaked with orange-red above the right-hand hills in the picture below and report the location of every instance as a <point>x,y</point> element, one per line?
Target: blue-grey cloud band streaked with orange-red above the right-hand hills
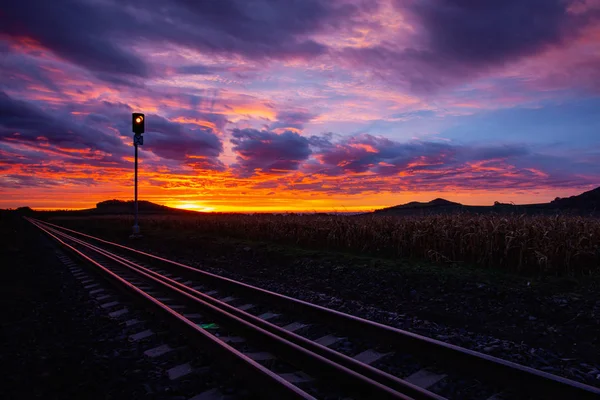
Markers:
<point>377,159</point>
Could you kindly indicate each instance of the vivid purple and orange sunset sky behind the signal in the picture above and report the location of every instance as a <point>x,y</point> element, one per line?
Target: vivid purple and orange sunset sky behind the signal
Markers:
<point>299,105</point>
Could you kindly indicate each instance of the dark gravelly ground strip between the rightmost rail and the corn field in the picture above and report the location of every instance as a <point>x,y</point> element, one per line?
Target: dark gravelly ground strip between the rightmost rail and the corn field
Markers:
<point>548,323</point>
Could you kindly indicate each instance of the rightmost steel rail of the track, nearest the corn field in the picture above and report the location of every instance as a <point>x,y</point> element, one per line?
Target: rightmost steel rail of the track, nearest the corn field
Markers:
<point>482,366</point>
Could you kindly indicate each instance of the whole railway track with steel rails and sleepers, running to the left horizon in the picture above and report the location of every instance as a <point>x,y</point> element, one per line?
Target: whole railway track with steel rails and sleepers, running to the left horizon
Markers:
<point>287,348</point>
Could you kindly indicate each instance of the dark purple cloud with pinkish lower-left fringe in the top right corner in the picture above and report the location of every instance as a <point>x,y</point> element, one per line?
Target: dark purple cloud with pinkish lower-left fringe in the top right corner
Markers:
<point>458,40</point>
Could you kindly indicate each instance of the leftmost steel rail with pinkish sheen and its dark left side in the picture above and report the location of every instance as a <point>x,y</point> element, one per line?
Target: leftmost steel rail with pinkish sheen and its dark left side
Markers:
<point>251,372</point>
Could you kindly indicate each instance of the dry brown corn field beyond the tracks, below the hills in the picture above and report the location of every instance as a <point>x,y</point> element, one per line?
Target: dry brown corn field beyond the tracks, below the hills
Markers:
<point>547,245</point>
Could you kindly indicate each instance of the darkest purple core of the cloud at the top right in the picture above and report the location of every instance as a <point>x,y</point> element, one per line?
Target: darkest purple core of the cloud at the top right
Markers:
<point>486,32</point>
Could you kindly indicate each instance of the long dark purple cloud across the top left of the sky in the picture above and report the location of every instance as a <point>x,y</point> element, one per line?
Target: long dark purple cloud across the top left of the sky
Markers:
<point>110,37</point>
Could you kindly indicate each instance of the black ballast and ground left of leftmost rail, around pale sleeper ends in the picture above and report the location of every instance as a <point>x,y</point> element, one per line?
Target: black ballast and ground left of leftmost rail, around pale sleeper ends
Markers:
<point>59,340</point>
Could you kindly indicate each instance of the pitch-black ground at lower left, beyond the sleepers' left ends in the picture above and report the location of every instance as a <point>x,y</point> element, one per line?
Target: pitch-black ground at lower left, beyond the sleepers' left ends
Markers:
<point>54,344</point>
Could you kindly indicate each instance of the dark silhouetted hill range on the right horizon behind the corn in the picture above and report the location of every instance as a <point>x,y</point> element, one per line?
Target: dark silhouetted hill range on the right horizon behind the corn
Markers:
<point>585,203</point>
